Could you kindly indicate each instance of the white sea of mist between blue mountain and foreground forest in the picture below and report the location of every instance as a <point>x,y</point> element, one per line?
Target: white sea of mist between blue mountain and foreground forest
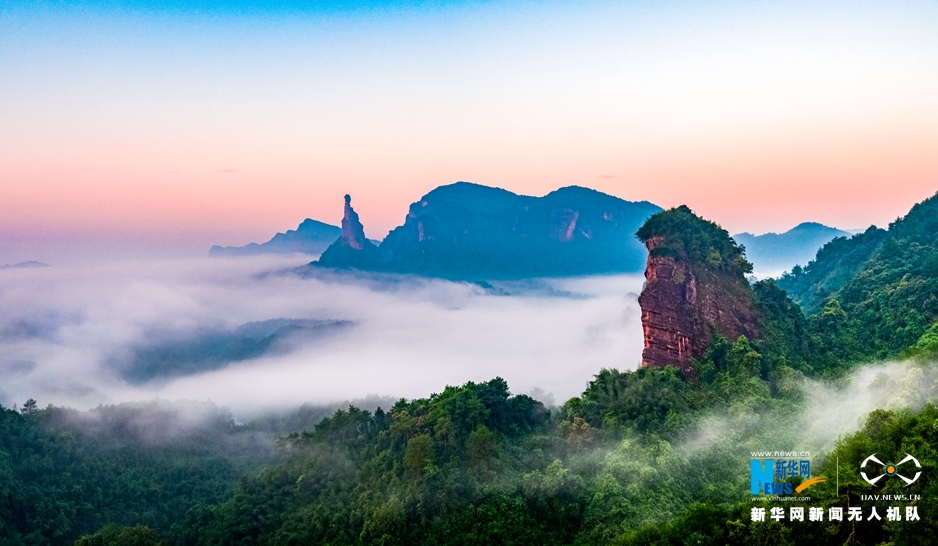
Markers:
<point>265,333</point>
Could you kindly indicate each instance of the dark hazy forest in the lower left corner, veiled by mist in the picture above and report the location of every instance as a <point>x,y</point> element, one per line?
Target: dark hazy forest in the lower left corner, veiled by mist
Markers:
<point>65,473</point>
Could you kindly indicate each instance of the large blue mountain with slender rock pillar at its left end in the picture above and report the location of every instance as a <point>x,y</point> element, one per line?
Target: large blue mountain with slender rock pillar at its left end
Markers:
<point>470,231</point>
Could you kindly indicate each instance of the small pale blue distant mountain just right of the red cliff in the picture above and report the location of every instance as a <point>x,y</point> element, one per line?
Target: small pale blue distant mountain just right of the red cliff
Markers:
<point>782,251</point>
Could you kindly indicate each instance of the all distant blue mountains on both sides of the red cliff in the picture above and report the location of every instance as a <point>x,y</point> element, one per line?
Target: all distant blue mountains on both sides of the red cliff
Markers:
<point>469,231</point>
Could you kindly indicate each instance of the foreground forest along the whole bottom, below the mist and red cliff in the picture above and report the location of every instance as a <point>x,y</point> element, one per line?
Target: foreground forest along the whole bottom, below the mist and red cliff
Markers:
<point>625,463</point>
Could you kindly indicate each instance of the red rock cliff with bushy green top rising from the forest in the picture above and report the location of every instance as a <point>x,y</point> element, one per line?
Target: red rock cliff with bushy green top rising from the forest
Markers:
<point>695,289</point>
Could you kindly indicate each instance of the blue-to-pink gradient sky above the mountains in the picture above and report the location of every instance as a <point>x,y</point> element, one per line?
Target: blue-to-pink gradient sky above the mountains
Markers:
<point>171,126</point>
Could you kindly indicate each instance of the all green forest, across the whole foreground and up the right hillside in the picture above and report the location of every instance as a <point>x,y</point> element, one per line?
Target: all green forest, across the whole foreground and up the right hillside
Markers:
<point>647,457</point>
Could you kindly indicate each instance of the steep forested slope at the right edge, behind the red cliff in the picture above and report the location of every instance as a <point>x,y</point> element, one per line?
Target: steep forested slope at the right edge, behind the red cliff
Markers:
<point>875,295</point>
